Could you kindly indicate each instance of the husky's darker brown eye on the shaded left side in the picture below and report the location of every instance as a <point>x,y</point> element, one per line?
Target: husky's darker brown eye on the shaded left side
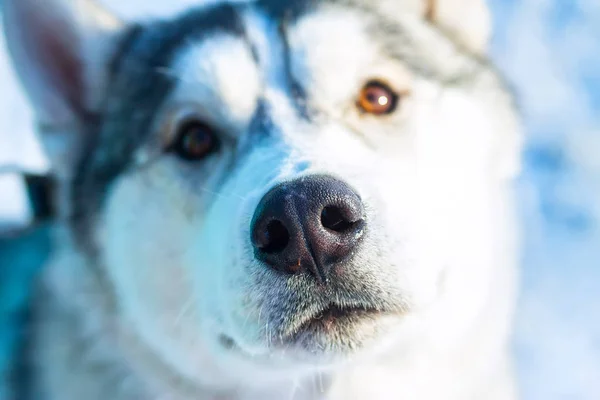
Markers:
<point>195,141</point>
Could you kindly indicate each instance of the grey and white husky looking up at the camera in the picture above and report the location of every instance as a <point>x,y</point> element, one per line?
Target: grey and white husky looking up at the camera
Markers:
<point>272,200</point>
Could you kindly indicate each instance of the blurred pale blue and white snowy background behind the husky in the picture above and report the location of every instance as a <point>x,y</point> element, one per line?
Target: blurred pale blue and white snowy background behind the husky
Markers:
<point>550,51</point>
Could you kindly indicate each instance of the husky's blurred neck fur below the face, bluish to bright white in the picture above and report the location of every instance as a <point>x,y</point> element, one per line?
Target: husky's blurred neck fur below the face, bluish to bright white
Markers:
<point>82,350</point>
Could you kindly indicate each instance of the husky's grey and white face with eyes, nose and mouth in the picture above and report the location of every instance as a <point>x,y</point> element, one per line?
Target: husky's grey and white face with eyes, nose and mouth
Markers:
<point>288,186</point>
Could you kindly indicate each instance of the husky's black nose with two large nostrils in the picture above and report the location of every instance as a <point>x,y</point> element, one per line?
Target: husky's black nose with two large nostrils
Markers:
<point>308,225</point>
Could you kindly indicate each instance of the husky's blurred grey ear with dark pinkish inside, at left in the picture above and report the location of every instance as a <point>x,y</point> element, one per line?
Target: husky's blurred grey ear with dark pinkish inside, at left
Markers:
<point>60,50</point>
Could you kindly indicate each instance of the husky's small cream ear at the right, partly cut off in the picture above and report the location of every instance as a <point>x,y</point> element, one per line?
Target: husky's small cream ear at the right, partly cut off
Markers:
<point>468,21</point>
